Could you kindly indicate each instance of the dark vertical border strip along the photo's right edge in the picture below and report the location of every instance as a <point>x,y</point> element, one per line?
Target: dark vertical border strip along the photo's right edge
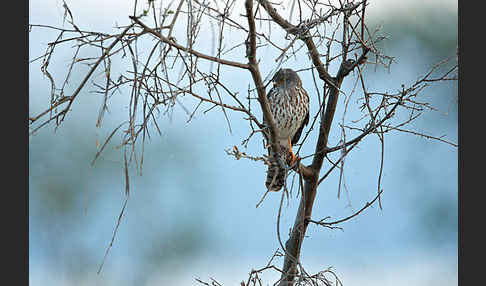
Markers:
<point>471,104</point>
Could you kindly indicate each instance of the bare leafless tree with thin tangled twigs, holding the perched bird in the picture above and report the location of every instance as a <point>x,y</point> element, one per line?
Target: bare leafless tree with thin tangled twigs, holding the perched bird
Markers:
<point>164,71</point>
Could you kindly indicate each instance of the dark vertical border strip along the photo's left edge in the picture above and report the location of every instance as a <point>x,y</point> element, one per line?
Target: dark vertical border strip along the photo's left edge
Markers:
<point>15,140</point>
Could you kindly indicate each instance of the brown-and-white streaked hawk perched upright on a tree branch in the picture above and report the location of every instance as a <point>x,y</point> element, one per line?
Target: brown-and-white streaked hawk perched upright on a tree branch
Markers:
<point>289,105</point>
